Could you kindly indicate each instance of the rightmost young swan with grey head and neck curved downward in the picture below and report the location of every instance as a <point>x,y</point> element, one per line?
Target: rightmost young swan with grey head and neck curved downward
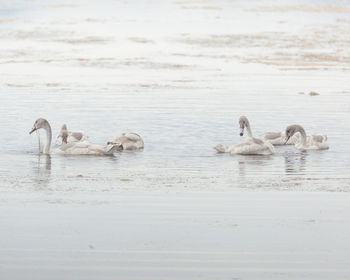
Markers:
<point>312,142</point>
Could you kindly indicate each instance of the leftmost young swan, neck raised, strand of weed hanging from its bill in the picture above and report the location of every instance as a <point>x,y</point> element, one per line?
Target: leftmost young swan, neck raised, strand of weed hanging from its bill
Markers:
<point>73,148</point>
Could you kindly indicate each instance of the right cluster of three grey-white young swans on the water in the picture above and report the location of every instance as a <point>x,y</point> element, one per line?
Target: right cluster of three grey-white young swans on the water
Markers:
<point>263,145</point>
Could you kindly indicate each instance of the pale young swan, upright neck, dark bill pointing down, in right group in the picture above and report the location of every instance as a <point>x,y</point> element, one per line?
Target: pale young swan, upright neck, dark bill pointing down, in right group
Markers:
<point>251,146</point>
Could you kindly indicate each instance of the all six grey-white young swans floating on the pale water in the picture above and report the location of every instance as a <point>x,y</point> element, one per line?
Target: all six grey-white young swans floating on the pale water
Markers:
<point>77,143</point>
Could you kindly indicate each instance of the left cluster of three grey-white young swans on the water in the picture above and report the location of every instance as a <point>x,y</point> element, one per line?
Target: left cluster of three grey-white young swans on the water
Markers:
<point>76,143</point>
